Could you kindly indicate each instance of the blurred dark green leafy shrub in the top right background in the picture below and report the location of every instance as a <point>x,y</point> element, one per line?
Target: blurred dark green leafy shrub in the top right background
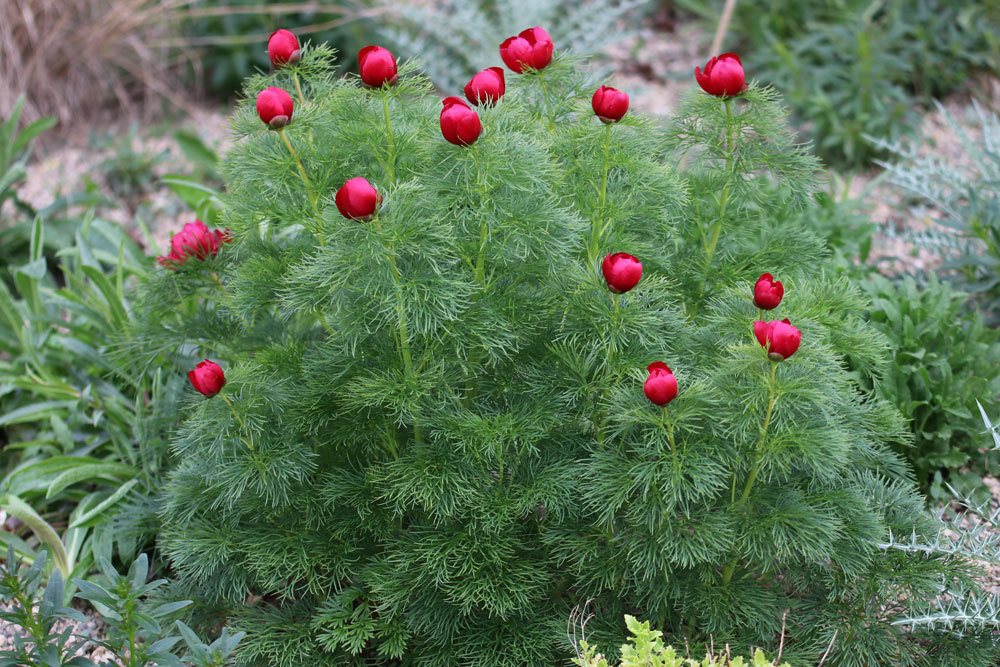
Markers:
<point>853,68</point>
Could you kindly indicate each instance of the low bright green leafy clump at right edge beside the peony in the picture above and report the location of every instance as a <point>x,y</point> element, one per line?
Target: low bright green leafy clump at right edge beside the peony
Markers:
<point>945,359</point>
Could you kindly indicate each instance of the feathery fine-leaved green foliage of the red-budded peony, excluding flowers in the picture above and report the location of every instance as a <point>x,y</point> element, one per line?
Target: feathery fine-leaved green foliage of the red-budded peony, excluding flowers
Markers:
<point>434,444</point>
